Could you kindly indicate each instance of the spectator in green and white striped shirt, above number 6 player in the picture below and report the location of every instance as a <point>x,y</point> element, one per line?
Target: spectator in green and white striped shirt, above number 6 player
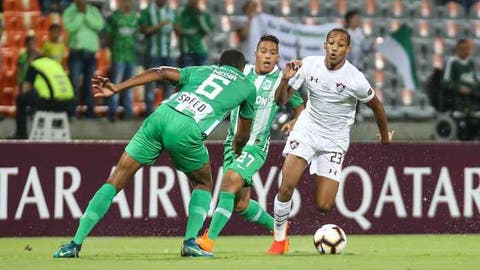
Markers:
<point>156,23</point>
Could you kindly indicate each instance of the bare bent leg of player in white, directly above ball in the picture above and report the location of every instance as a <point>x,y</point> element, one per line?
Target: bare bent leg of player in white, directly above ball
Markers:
<point>326,192</point>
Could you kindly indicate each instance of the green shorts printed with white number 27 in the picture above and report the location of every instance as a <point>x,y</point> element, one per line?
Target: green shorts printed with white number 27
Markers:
<point>247,164</point>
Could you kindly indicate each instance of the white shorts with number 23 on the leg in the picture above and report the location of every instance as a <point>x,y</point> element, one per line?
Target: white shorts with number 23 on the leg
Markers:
<point>324,156</point>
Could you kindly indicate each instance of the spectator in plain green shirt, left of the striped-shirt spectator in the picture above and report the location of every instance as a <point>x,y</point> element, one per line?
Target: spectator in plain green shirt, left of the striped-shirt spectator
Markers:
<point>121,29</point>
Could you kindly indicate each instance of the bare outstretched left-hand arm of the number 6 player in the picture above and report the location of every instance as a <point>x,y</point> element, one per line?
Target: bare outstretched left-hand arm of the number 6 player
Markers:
<point>102,87</point>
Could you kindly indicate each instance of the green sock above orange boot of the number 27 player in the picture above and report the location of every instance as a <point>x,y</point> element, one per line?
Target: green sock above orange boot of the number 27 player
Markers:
<point>222,214</point>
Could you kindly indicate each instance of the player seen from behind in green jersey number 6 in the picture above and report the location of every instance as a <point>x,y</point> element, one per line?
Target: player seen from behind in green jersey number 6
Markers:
<point>207,94</point>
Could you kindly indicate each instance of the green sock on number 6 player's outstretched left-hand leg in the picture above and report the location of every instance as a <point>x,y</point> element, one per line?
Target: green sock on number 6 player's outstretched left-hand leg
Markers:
<point>97,207</point>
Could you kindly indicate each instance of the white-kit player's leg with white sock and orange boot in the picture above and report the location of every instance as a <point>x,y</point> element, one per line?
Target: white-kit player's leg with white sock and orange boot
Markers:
<point>292,172</point>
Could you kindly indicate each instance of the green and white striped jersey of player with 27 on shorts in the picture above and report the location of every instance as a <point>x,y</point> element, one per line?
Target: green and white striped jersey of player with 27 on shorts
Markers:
<point>265,107</point>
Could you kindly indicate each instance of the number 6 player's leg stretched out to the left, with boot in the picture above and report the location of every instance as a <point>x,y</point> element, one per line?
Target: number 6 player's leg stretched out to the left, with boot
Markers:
<point>99,204</point>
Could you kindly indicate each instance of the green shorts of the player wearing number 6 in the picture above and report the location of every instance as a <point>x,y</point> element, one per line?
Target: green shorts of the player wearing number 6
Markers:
<point>167,129</point>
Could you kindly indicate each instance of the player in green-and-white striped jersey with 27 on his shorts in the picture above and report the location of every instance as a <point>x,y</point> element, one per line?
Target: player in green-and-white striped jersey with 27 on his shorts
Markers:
<point>239,169</point>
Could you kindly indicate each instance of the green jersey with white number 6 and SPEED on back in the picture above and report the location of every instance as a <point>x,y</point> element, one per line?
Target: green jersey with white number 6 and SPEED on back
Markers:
<point>208,93</point>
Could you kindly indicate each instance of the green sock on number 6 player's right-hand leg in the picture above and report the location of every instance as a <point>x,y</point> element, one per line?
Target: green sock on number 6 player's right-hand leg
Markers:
<point>197,212</point>
